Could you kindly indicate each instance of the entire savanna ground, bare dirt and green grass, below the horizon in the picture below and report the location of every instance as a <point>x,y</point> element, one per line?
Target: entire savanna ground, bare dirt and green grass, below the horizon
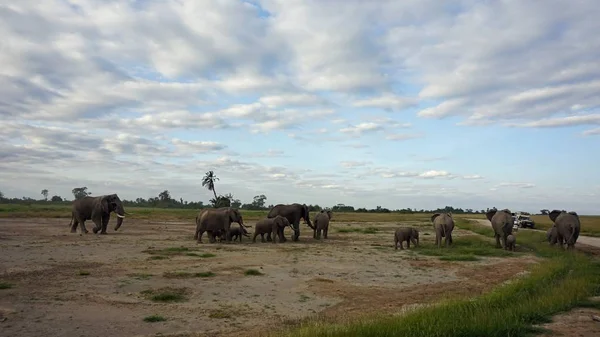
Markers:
<point>151,279</point>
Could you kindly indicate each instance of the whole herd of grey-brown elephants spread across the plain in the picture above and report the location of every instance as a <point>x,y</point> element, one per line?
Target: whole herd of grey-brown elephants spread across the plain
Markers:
<point>216,222</point>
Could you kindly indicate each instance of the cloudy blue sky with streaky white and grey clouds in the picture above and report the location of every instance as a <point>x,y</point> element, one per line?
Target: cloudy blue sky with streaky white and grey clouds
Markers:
<point>417,104</point>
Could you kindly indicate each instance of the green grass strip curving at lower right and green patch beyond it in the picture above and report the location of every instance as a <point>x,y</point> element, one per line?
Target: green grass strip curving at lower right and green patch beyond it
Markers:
<point>562,281</point>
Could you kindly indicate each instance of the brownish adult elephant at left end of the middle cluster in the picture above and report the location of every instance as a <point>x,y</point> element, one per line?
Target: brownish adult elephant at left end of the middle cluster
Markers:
<point>211,220</point>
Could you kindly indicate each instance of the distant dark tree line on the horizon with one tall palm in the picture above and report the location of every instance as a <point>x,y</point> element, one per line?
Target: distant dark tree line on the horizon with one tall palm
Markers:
<point>164,199</point>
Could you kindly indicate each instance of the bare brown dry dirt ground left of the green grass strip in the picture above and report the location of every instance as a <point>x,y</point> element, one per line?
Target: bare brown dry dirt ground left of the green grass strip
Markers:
<point>66,284</point>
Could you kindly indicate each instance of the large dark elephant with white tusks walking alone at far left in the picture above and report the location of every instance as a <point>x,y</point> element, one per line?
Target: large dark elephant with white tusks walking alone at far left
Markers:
<point>98,210</point>
